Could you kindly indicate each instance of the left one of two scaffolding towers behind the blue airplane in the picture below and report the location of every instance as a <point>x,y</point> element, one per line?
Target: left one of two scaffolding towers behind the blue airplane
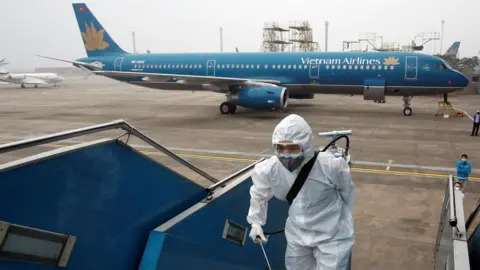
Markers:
<point>274,38</point>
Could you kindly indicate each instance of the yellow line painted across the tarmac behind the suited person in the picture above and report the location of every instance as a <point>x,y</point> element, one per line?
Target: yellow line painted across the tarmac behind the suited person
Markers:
<point>224,158</point>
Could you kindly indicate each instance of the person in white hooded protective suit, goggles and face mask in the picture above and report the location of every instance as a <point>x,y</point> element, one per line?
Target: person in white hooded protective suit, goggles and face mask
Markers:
<point>319,228</point>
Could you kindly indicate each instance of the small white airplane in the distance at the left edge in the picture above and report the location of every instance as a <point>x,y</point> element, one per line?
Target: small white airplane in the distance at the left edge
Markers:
<point>29,78</point>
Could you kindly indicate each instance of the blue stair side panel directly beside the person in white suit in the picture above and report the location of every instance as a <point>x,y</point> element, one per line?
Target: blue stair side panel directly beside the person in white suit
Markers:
<point>206,248</point>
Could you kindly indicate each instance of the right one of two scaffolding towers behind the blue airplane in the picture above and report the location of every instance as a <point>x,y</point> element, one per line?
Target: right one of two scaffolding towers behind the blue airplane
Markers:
<point>301,37</point>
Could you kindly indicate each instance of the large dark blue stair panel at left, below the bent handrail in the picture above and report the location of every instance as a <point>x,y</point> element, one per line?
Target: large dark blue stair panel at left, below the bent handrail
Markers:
<point>108,196</point>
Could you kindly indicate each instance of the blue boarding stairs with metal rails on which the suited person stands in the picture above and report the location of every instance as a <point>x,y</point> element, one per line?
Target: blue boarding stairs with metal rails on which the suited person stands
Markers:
<point>103,204</point>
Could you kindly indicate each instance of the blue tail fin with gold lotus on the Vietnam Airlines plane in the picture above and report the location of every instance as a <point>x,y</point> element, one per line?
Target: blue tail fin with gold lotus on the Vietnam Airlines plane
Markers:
<point>95,38</point>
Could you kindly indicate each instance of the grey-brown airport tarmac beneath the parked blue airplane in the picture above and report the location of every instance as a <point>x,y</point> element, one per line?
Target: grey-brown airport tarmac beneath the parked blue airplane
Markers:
<point>400,164</point>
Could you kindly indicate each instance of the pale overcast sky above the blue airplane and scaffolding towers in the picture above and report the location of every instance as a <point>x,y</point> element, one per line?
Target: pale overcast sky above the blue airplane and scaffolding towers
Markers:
<point>49,27</point>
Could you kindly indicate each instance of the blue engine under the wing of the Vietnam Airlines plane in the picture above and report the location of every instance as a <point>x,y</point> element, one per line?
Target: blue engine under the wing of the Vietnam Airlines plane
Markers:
<point>264,97</point>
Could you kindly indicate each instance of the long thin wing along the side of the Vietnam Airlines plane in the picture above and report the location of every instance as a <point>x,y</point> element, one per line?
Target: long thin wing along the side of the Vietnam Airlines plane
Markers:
<point>194,79</point>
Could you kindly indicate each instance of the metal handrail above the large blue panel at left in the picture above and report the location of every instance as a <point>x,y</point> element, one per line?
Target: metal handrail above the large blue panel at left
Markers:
<point>13,146</point>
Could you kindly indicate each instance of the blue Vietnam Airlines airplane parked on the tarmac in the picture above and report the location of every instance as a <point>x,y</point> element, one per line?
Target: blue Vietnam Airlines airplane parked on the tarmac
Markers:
<point>267,80</point>
